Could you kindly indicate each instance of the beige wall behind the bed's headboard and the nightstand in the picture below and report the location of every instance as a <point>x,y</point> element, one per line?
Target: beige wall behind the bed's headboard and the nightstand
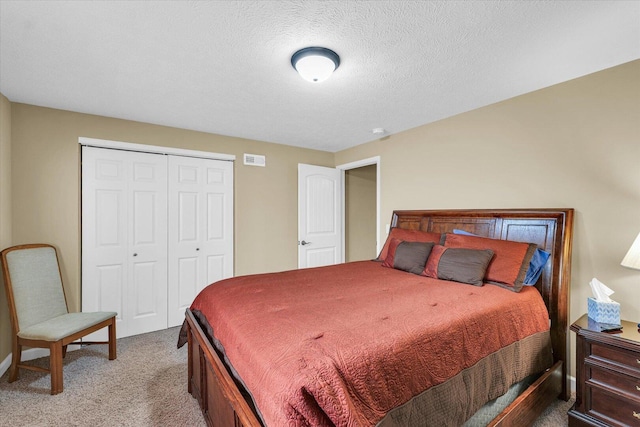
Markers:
<point>576,144</point>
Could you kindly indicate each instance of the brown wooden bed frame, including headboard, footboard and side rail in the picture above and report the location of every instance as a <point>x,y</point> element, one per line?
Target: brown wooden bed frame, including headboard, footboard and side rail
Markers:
<point>222,403</point>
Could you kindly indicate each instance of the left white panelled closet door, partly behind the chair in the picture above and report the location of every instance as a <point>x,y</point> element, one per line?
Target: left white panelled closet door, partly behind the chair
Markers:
<point>124,238</point>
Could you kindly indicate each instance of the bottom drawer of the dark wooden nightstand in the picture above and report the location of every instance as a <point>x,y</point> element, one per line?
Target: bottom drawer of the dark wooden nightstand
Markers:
<point>613,409</point>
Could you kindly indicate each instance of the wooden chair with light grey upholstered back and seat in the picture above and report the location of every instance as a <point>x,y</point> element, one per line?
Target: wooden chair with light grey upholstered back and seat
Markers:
<point>39,313</point>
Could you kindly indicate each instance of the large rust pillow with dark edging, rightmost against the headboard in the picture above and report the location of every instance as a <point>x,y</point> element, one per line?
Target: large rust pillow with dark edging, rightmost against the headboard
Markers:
<point>510,262</point>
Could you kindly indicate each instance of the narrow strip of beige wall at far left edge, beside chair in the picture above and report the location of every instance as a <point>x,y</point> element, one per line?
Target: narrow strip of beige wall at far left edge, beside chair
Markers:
<point>5,216</point>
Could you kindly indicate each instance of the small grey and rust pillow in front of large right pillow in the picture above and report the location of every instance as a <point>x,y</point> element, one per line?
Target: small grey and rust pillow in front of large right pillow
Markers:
<point>458,264</point>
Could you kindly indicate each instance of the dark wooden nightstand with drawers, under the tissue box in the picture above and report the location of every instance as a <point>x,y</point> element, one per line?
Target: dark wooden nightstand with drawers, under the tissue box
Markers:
<point>607,375</point>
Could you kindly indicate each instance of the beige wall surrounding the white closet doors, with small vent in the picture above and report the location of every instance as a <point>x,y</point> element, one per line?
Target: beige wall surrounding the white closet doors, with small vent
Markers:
<point>46,186</point>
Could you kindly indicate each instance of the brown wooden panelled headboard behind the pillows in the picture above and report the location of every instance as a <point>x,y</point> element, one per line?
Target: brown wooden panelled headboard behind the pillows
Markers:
<point>550,229</point>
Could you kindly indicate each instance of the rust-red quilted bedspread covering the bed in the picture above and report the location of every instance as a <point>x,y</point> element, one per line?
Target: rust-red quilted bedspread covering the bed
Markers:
<point>343,345</point>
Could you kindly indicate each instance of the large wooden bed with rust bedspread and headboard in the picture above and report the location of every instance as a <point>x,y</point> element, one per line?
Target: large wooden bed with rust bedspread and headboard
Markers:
<point>244,378</point>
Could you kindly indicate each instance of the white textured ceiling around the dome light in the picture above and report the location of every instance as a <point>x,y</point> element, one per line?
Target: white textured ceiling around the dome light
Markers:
<point>224,67</point>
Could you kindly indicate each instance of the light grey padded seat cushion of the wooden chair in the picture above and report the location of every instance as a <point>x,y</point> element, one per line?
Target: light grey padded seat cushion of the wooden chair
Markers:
<point>62,326</point>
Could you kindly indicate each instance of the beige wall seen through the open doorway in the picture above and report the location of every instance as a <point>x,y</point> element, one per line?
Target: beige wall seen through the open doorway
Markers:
<point>360,213</point>
